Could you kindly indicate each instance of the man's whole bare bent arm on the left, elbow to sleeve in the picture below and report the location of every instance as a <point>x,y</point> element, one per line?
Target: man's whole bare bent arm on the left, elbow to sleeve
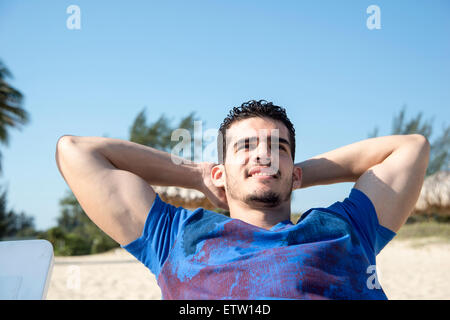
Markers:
<point>111,179</point>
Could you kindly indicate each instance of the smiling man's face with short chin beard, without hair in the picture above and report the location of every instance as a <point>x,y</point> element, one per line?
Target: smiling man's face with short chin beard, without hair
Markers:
<point>258,163</point>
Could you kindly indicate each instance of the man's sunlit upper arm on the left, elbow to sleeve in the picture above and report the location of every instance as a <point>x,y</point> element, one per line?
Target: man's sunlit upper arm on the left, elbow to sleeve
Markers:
<point>117,201</point>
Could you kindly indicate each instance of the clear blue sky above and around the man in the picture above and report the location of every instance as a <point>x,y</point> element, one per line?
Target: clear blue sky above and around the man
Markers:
<point>336,78</point>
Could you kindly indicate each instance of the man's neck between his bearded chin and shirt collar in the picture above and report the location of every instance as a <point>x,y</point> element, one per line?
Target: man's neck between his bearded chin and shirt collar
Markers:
<point>260,216</point>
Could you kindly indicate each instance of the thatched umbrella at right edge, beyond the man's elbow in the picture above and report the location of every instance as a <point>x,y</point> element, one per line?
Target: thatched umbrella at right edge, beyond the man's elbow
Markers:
<point>435,195</point>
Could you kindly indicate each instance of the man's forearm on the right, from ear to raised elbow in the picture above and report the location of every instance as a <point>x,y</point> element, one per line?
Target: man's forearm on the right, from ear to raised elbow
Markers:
<point>348,163</point>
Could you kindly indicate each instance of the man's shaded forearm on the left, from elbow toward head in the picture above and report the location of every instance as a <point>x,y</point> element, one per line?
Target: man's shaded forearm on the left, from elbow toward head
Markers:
<point>154,166</point>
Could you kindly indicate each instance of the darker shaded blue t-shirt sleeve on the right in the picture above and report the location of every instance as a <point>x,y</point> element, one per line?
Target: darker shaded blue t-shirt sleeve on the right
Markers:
<point>360,211</point>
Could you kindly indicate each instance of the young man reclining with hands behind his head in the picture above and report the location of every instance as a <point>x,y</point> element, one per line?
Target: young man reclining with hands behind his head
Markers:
<point>256,253</point>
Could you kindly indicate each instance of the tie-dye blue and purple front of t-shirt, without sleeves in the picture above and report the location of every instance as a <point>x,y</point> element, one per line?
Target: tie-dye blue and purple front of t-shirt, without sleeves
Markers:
<point>216,257</point>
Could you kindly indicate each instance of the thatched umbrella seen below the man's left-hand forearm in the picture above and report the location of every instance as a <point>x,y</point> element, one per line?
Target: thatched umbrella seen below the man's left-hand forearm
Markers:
<point>186,198</point>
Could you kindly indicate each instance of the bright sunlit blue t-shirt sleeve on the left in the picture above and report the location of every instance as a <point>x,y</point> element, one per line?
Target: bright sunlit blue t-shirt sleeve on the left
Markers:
<point>161,228</point>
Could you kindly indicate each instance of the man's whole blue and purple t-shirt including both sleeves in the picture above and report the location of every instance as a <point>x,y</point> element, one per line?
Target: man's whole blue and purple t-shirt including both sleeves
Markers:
<point>328,254</point>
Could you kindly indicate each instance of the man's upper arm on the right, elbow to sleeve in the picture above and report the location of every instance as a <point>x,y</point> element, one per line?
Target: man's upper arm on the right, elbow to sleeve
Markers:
<point>394,185</point>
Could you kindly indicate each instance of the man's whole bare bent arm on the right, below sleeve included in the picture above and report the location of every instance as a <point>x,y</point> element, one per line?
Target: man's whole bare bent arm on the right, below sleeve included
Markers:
<point>390,170</point>
